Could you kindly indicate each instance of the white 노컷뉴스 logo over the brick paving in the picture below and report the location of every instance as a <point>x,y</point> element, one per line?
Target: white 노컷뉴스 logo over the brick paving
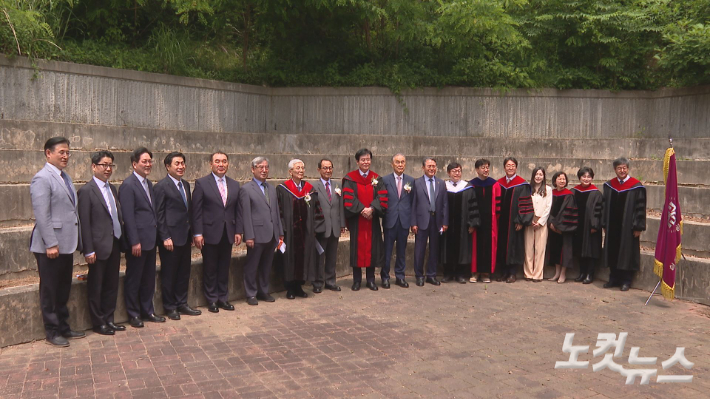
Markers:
<point>606,341</point>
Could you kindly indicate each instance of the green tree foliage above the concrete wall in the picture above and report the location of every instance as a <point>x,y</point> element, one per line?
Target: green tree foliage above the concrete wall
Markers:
<point>606,44</point>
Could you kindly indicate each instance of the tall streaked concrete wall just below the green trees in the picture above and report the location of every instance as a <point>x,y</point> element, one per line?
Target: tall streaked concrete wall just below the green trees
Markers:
<point>72,93</point>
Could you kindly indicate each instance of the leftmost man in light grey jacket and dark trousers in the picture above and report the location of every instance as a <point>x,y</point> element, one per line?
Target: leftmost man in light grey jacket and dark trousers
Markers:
<point>54,239</point>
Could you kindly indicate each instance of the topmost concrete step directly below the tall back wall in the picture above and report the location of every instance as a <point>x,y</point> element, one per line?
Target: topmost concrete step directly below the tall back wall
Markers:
<point>31,135</point>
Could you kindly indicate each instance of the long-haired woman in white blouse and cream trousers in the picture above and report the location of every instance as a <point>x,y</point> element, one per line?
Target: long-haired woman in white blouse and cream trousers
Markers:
<point>536,234</point>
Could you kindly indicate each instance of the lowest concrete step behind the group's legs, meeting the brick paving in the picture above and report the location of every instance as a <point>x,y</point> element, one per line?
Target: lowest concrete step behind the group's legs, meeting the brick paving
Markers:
<point>21,318</point>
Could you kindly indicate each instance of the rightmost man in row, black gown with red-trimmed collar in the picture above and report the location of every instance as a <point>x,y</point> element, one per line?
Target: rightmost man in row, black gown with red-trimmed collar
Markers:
<point>623,219</point>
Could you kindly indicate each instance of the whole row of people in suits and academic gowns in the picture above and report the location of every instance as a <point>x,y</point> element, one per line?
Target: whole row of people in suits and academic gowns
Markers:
<point>476,229</point>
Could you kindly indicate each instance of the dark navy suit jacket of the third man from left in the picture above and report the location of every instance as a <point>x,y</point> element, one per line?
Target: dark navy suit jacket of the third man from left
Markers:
<point>139,220</point>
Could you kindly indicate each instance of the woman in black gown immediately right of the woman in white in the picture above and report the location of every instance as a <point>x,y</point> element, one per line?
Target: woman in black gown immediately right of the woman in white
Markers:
<point>562,223</point>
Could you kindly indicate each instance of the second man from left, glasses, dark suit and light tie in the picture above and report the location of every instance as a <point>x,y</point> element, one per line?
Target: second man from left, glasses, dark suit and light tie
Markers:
<point>101,227</point>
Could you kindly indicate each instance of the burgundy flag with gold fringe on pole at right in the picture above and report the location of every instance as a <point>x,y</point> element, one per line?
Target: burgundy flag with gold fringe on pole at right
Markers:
<point>668,250</point>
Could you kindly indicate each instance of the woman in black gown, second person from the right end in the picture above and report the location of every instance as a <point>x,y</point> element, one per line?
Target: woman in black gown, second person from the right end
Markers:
<point>588,237</point>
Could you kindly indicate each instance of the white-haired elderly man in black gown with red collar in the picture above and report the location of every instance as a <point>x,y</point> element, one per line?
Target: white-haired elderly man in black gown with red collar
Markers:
<point>299,208</point>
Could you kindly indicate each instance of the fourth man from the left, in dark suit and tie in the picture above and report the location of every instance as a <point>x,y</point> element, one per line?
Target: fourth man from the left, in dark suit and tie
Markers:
<point>173,205</point>
